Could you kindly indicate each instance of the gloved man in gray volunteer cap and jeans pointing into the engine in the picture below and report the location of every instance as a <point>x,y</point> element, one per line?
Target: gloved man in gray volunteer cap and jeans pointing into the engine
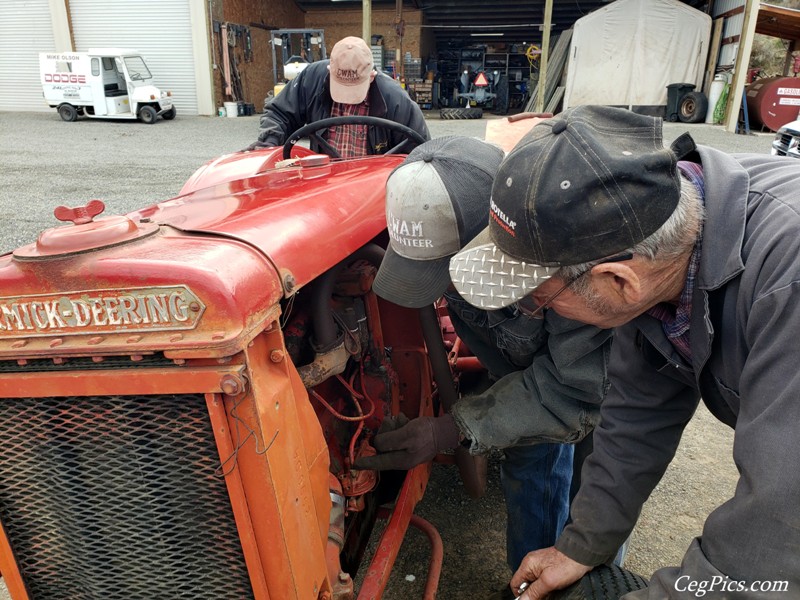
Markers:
<point>550,372</point>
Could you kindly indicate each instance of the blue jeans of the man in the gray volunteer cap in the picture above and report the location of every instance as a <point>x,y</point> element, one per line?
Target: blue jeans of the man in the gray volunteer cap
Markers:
<point>536,482</point>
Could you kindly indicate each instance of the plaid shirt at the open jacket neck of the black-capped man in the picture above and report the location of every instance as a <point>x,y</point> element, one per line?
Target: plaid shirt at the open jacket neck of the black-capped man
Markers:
<point>675,320</point>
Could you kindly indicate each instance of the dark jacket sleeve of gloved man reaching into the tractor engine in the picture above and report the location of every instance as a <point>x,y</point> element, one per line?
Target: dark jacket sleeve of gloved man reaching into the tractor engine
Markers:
<point>556,399</point>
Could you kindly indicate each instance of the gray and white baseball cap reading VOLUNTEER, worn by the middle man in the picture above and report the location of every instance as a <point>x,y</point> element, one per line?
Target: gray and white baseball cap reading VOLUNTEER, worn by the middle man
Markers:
<point>437,200</point>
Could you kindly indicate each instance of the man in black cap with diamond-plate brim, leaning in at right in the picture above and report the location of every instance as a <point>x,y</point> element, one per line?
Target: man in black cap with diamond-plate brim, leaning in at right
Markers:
<point>694,257</point>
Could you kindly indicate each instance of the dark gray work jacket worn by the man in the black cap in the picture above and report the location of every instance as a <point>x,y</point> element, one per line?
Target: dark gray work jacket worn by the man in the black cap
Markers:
<point>745,342</point>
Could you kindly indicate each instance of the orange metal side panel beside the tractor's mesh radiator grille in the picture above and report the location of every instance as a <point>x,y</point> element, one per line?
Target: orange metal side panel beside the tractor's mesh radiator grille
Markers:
<point>282,458</point>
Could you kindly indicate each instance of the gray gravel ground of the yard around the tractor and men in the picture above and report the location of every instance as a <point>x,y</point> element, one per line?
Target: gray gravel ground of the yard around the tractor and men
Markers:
<point>46,162</point>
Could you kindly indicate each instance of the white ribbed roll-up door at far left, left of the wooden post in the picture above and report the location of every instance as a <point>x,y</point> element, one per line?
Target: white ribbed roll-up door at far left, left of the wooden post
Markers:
<point>25,30</point>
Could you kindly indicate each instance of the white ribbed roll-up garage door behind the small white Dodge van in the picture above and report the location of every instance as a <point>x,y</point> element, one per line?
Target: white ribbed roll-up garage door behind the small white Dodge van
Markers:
<point>159,29</point>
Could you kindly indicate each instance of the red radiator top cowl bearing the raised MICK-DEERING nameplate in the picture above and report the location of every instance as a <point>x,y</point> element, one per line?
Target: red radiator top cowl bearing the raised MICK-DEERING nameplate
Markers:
<point>170,290</point>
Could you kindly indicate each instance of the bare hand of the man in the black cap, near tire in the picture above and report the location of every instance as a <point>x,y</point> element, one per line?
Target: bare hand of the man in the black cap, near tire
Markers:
<point>546,570</point>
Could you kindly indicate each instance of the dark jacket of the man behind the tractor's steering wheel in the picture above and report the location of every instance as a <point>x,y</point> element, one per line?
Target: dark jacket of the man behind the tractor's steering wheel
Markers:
<point>307,99</point>
